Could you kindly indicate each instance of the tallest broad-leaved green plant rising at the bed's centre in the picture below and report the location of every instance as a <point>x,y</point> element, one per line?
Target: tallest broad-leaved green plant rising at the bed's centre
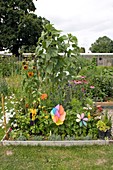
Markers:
<point>56,59</point>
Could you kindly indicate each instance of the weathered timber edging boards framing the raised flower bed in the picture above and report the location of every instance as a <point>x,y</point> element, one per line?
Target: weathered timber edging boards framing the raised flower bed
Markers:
<point>5,142</point>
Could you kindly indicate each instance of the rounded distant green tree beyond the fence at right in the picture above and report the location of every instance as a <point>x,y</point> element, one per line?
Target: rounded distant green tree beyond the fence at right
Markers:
<point>102,45</point>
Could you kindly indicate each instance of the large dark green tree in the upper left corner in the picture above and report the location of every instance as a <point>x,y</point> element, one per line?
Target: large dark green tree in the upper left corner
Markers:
<point>19,26</point>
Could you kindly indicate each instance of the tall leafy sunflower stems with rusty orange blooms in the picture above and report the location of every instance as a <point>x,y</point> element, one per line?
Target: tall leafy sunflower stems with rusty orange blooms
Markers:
<point>31,83</point>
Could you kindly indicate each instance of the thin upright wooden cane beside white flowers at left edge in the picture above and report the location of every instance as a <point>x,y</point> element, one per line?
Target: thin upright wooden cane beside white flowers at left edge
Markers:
<point>4,116</point>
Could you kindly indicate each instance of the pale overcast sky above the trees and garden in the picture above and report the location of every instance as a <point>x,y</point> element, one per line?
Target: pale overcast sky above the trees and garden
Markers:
<point>86,19</point>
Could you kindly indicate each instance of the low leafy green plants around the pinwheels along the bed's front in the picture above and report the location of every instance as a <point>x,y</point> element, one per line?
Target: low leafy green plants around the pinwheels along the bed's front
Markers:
<point>23,126</point>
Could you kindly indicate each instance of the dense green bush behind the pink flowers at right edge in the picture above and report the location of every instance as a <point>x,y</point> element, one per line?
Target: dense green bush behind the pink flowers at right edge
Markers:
<point>101,78</point>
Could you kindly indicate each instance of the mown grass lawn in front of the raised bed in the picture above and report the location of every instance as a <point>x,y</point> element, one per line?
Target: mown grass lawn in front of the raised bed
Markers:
<point>56,158</point>
